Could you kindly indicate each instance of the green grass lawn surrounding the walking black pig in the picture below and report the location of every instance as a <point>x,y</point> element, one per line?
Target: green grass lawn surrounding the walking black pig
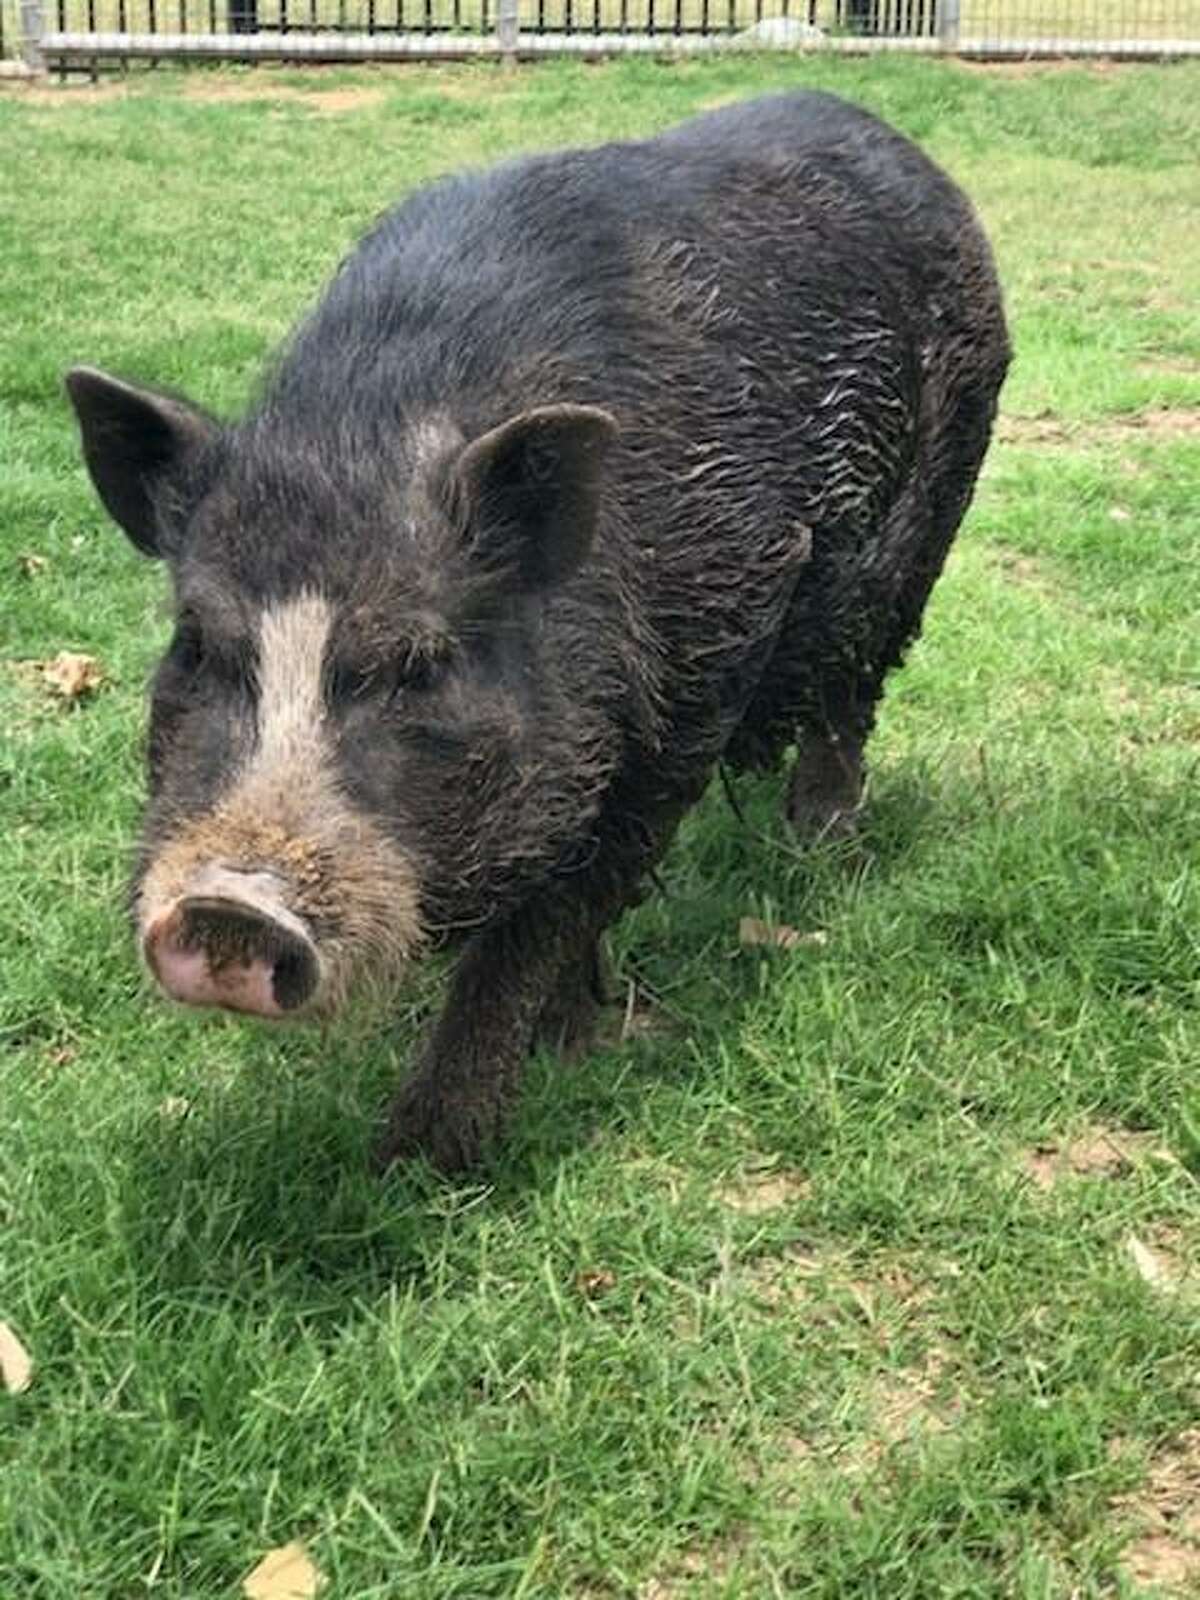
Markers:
<point>823,1287</point>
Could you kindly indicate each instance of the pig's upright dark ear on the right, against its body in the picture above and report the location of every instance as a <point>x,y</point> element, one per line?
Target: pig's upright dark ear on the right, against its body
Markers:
<point>530,492</point>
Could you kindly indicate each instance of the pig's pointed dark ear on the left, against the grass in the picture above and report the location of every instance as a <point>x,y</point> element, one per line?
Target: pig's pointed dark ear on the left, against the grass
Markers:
<point>134,439</point>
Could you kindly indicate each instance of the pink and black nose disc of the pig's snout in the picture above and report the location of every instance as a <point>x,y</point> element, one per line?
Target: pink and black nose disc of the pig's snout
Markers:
<point>231,942</point>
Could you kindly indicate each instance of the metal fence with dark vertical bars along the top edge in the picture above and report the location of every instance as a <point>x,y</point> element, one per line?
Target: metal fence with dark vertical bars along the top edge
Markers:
<point>87,33</point>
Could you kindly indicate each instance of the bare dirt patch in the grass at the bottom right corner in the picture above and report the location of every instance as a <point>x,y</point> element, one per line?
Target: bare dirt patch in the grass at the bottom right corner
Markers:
<point>1167,1511</point>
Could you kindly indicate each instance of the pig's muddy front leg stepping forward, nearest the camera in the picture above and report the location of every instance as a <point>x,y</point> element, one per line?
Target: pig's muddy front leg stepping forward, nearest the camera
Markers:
<point>468,1070</point>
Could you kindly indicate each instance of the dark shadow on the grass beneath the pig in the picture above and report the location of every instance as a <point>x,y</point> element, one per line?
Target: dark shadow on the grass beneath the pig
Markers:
<point>268,1182</point>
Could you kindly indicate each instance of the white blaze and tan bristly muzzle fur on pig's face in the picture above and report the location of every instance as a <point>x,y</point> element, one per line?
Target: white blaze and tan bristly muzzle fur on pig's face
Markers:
<point>287,815</point>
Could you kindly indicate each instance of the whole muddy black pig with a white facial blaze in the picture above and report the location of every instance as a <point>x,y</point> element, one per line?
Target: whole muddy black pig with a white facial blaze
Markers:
<point>586,474</point>
